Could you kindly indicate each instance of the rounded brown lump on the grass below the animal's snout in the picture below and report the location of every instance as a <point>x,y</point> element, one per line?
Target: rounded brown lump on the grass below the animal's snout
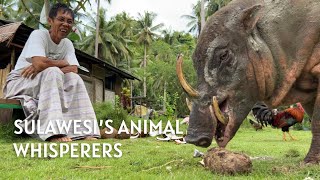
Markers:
<point>223,161</point>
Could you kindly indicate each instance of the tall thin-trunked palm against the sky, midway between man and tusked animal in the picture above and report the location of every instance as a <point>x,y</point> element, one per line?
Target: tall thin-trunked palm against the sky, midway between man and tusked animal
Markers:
<point>146,36</point>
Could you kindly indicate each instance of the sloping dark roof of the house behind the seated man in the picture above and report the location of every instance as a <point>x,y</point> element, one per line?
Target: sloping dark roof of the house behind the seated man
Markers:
<point>9,29</point>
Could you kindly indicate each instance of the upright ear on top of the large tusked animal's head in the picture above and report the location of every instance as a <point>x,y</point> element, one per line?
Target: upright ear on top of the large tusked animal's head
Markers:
<point>250,17</point>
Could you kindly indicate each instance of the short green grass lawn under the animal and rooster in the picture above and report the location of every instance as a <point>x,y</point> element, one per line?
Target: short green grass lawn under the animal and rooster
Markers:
<point>147,158</point>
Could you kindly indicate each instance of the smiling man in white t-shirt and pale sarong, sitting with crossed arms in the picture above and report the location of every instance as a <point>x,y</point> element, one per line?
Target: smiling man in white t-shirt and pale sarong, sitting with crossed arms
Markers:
<point>45,79</point>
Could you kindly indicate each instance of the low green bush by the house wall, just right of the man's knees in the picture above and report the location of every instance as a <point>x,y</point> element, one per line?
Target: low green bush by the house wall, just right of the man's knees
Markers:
<point>115,112</point>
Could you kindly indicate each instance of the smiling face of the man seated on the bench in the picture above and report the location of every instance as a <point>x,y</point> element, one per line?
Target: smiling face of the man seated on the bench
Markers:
<point>61,25</point>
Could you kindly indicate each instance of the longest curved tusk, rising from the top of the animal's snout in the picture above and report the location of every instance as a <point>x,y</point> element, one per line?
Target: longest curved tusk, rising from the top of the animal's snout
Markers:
<point>185,85</point>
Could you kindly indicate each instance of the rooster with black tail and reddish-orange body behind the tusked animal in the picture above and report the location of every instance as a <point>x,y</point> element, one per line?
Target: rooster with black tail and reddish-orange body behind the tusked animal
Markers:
<point>283,119</point>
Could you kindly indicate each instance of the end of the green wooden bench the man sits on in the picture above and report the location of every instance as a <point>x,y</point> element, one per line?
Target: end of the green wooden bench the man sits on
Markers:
<point>10,109</point>
